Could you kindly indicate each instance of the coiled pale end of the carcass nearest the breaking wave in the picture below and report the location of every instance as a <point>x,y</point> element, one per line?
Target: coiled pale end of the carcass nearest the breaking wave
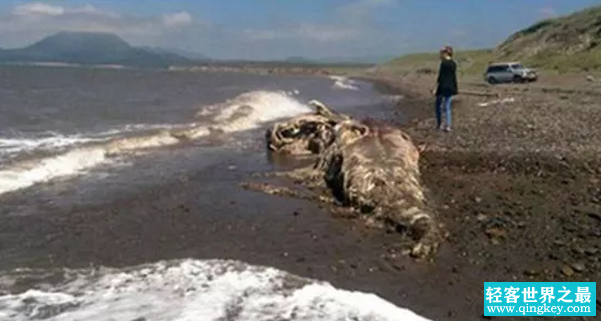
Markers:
<point>304,134</point>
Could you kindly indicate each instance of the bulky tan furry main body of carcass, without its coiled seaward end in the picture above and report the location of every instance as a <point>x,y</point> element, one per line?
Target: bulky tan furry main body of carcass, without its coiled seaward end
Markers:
<point>374,168</point>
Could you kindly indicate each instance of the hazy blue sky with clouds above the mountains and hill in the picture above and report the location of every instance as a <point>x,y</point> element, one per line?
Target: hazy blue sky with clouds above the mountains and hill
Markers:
<point>277,29</point>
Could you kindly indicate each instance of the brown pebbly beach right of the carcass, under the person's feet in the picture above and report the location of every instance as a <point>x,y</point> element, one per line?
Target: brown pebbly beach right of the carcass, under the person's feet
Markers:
<point>518,179</point>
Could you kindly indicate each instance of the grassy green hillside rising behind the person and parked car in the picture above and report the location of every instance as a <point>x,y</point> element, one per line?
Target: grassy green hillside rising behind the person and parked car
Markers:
<point>568,43</point>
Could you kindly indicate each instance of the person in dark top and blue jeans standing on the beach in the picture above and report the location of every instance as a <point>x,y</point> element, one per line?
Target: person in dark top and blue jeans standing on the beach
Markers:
<point>446,87</point>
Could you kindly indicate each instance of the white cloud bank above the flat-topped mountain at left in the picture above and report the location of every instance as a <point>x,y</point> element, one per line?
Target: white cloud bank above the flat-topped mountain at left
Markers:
<point>29,22</point>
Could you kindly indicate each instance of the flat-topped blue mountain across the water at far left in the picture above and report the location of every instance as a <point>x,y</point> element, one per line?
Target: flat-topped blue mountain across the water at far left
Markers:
<point>91,48</point>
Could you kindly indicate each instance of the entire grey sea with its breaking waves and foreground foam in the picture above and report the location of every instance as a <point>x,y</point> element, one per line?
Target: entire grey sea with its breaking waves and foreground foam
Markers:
<point>82,135</point>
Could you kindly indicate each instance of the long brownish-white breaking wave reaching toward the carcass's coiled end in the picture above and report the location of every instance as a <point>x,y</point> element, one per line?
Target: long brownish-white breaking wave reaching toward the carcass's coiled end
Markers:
<point>247,111</point>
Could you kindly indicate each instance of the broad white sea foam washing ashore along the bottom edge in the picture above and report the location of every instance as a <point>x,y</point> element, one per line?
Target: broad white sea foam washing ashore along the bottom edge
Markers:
<point>196,290</point>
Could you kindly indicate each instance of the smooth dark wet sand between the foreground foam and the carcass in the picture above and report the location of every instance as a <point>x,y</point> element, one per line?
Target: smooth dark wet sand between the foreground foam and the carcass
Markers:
<point>209,217</point>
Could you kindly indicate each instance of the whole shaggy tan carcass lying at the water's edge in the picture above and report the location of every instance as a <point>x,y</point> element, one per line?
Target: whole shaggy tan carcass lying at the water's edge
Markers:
<point>370,166</point>
